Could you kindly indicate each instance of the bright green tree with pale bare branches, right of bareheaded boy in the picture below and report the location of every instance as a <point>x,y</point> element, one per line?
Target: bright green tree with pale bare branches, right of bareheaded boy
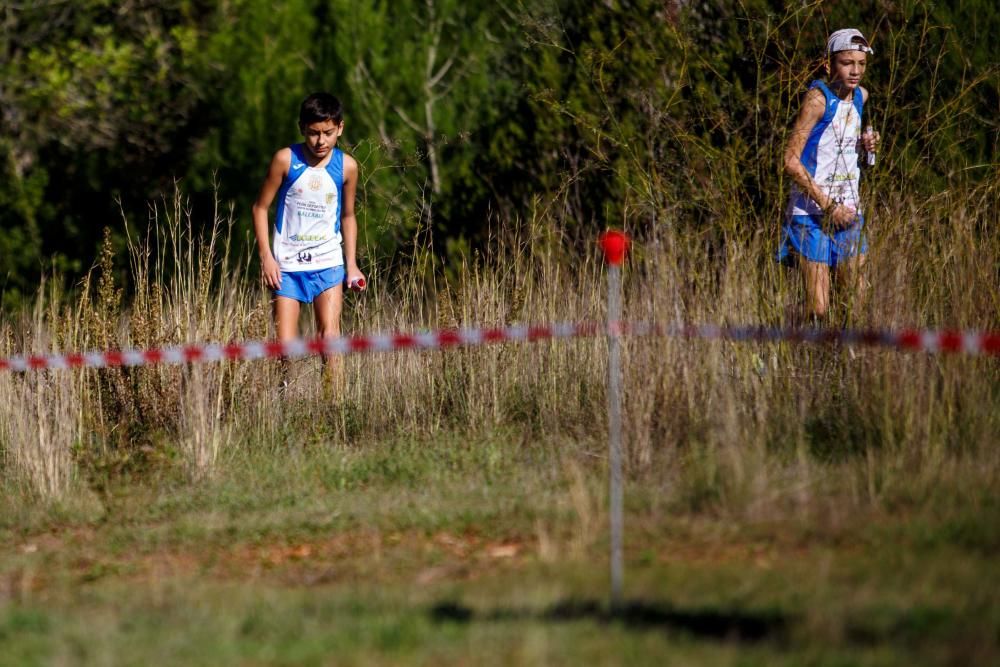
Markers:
<point>422,77</point>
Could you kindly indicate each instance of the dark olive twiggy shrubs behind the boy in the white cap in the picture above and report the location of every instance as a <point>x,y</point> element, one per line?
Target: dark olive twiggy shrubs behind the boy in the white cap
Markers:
<point>662,112</point>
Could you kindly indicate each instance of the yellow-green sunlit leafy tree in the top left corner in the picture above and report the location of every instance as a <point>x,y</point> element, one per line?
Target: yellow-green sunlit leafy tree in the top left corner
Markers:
<point>96,105</point>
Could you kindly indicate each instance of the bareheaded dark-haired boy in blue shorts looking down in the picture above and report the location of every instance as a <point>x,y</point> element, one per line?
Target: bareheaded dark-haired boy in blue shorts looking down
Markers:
<point>315,229</point>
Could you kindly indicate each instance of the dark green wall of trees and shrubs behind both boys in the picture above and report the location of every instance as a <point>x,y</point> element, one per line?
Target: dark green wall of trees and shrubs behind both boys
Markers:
<point>460,111</point>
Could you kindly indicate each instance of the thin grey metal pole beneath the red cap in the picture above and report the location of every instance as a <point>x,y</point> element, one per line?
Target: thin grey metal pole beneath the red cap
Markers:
<point>615,431</point>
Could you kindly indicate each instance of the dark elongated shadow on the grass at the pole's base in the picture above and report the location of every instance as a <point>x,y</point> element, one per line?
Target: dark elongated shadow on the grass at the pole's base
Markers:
<point>707,623</point>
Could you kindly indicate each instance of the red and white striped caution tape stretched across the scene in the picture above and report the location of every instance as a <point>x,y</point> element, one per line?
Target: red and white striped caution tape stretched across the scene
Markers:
<point>968,342</point>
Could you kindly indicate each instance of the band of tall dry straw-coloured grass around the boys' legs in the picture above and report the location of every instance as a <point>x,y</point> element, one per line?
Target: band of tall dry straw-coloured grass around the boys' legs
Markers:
<point>752,428</point>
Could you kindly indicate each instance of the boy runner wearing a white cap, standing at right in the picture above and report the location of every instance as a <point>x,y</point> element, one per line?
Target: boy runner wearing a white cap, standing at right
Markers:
<point>824,221</point>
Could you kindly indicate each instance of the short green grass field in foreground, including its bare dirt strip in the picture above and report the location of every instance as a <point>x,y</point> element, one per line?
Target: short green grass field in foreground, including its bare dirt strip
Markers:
<point>469,550</point>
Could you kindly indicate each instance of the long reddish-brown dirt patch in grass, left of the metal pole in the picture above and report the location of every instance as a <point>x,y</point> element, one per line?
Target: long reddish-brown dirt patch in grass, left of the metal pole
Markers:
<point>77,557</point>
